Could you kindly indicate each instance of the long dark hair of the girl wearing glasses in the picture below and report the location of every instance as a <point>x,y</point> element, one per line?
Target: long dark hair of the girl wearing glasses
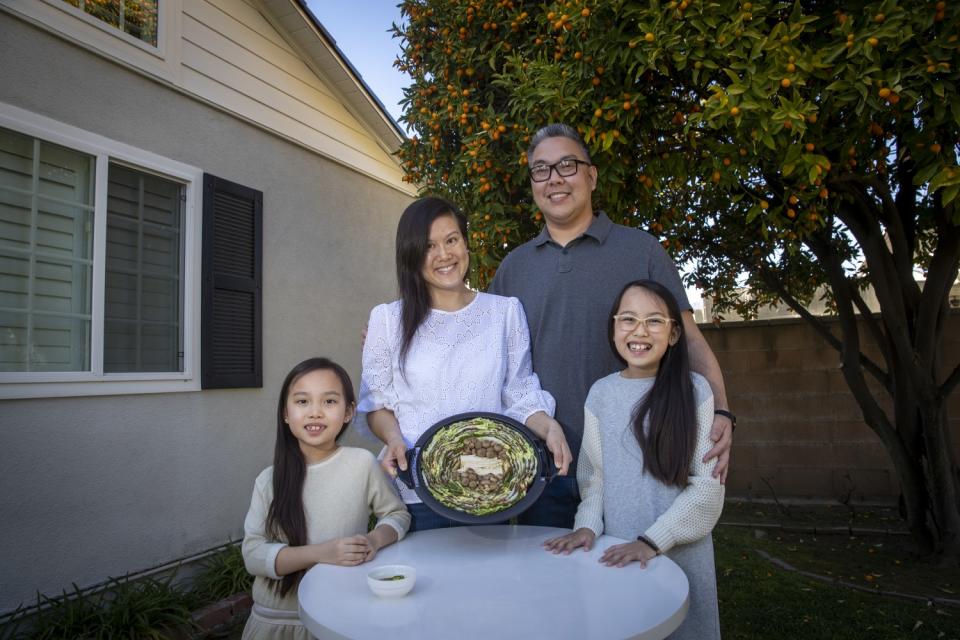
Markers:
<point>669,444</point>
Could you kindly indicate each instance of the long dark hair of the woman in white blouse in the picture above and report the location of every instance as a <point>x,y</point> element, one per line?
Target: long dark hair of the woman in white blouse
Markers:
<point>413,234</point>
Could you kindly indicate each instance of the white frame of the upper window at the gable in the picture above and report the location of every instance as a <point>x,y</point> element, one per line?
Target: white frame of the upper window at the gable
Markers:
<point>162,61</point>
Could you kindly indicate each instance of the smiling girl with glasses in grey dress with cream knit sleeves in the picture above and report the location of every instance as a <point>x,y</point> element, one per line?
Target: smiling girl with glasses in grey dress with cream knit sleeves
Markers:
<point>641,471</point>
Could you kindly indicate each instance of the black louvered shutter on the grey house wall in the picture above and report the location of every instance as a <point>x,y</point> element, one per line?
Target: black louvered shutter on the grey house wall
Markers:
<point>231,307</point>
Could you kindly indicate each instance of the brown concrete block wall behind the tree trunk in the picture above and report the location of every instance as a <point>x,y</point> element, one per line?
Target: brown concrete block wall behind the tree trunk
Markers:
<point>800,433</point>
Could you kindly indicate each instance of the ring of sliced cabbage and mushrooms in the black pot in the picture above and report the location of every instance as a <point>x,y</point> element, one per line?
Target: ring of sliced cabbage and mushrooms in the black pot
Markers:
<point>440,462</point>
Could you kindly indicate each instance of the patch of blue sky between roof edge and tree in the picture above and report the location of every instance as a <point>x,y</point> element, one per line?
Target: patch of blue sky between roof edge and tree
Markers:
<point>361,29</point>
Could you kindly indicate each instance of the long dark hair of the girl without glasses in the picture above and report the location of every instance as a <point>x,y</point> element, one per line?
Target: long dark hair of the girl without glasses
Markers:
<point>286,519</point>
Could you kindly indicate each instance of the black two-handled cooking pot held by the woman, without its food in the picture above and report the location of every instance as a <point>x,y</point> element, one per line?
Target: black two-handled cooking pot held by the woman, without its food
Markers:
<point>413,475</point>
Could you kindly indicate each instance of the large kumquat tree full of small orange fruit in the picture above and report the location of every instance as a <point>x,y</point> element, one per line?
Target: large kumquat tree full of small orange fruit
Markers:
<point>783,148</point>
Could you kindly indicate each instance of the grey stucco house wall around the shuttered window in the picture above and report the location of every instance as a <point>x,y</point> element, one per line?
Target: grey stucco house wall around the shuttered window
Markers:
<point>102,486</point>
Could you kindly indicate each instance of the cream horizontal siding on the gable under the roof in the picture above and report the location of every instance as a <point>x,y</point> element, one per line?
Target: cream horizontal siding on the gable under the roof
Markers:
<point>231,54</point>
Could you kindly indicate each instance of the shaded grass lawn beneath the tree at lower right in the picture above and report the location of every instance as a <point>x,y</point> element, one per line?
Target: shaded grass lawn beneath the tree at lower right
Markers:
<point>759,599</point>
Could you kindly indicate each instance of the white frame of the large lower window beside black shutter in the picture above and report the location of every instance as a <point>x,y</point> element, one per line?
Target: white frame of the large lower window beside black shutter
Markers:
<point>96,382</point>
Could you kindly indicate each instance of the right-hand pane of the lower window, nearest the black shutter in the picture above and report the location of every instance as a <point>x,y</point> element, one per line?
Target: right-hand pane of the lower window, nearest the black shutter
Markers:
<point>143,315</point>
